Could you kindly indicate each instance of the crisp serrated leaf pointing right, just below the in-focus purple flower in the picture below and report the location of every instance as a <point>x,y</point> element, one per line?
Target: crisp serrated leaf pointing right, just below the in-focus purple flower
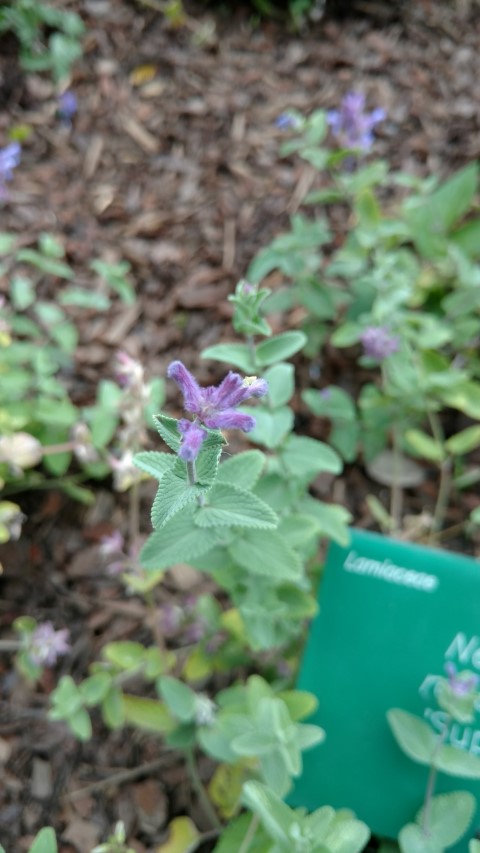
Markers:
<point>233,507</point>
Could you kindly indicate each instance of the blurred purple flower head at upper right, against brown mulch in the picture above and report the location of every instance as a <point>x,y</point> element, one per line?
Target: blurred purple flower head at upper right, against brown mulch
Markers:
<point>351,124</point>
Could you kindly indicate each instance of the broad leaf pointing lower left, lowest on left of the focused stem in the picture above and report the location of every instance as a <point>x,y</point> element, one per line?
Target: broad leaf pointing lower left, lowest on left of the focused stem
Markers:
<point>179,541</point>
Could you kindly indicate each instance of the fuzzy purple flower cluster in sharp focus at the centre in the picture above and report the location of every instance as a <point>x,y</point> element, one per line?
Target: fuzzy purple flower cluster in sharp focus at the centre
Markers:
<point>215,406</point>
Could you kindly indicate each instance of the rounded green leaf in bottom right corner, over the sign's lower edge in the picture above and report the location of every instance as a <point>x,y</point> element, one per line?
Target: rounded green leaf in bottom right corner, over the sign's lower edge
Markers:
<point>449,816</point>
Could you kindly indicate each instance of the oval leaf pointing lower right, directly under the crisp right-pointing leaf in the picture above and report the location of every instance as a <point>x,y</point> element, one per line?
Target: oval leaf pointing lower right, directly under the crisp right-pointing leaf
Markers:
<point>266,553</point>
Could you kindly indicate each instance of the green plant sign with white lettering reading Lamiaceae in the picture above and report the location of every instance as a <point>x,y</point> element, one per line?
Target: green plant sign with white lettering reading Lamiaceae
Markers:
<point>392,615</point>
